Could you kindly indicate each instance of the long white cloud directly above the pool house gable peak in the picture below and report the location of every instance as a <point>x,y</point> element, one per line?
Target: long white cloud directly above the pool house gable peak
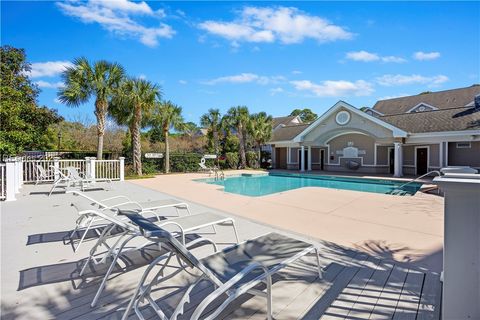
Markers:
<point>333,88</point>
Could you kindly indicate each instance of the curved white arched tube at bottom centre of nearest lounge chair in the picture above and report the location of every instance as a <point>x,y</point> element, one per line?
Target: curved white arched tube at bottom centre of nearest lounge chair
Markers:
<point>229,284</point>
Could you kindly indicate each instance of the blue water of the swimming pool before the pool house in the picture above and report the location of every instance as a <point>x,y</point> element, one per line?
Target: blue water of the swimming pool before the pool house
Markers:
<point>264,184</point>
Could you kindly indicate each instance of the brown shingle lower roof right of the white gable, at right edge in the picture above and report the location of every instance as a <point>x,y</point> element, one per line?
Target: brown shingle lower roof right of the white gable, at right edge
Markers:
<point>454,119</point>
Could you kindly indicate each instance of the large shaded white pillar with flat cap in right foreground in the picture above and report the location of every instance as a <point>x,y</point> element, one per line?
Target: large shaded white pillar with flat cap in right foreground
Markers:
<point>461,246</point>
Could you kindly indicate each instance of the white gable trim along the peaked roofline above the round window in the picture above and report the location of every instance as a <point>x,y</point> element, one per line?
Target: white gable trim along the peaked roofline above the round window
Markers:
<point>395,131</point>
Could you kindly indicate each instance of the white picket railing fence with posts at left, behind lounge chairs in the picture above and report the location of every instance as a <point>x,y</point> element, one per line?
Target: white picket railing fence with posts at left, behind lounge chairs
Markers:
<point>15,171</point>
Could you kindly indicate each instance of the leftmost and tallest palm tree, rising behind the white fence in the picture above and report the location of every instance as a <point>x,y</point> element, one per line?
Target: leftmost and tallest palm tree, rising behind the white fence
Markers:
<point>84,80</point>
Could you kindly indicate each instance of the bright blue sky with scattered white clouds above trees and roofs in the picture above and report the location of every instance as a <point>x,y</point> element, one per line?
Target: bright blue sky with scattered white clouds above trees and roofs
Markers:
<point>269,56</point>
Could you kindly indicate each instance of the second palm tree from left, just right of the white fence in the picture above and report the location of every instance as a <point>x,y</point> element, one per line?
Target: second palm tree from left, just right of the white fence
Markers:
<point>131,106</point>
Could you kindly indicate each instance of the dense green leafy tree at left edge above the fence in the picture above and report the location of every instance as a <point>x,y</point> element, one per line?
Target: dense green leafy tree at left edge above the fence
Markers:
<point>23,124</point>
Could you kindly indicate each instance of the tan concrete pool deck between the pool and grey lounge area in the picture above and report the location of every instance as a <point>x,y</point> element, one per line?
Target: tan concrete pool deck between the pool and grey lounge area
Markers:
<point>404,228</point>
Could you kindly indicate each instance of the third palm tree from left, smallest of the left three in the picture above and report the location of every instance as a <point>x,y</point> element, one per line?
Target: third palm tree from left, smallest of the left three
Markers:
<point>169,116</point>
